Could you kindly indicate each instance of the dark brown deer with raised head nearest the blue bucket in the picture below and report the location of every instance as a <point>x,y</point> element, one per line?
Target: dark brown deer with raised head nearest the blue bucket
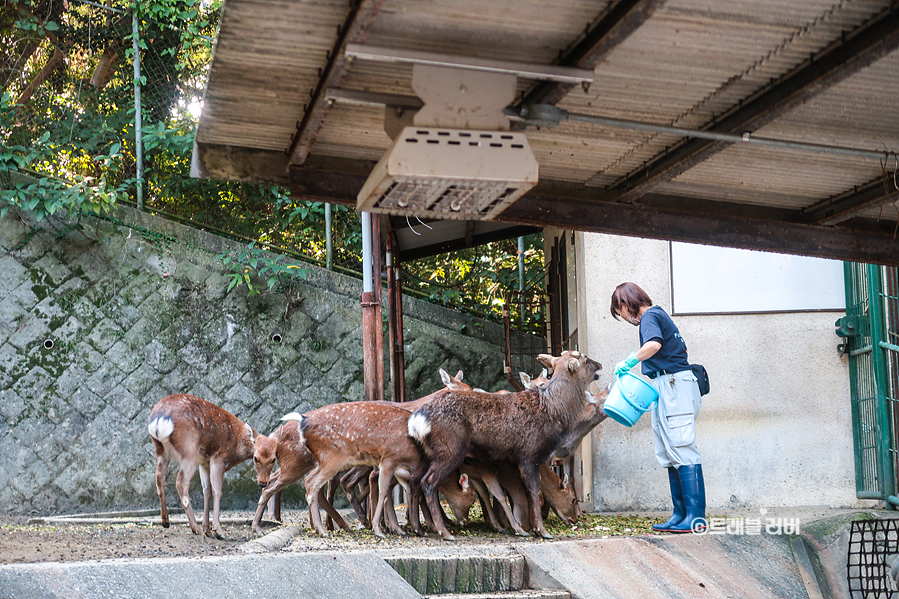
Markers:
<point>523,428</point>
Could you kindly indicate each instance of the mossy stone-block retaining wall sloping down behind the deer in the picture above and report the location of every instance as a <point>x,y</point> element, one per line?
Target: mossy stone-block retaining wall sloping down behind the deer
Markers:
<point>137,308</point>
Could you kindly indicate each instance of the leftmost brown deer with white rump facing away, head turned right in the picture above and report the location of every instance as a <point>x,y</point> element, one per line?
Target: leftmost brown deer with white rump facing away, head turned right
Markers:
<point>199,434</point>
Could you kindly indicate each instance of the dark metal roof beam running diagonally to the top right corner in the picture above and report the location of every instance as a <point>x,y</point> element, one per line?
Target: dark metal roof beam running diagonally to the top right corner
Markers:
<point>861,48</point>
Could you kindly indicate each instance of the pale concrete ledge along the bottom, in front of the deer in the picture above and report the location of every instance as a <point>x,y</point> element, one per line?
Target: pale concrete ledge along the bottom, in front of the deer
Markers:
<point>746,554</point>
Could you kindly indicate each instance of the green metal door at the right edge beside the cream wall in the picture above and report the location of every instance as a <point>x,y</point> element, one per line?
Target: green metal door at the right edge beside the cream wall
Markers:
<point>871,328</point>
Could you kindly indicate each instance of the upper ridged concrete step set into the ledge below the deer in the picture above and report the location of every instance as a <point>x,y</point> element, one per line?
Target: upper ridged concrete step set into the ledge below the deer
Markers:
<point>432,575</point>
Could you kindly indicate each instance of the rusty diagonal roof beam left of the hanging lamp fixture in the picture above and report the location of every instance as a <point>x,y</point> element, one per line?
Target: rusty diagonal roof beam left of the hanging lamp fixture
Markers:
<point>354,28</point>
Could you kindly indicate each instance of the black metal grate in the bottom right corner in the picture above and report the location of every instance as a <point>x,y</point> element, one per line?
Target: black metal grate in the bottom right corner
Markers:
<point>870,543</point>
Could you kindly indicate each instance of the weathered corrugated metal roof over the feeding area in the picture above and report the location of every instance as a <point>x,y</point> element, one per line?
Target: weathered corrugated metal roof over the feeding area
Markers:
<point>796,70</point>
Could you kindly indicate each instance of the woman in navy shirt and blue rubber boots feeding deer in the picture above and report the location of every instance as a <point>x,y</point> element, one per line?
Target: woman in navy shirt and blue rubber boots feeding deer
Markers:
<point>663,353</point>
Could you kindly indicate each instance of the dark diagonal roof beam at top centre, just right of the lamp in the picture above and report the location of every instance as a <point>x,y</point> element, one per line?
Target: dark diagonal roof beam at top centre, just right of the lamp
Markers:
<point>622,19</point>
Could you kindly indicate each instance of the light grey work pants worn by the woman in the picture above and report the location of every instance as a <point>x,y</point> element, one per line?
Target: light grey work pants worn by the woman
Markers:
<point>674,419</point>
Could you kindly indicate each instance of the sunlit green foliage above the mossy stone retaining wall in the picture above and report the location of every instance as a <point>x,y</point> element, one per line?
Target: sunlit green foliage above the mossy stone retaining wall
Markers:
<point>69,146</point>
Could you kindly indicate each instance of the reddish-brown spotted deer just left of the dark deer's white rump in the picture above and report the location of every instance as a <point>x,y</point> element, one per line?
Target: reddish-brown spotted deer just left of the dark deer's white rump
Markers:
<point>343,435</point>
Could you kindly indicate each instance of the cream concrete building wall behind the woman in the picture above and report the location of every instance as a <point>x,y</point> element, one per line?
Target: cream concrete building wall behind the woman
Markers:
<point>776,428</point>
